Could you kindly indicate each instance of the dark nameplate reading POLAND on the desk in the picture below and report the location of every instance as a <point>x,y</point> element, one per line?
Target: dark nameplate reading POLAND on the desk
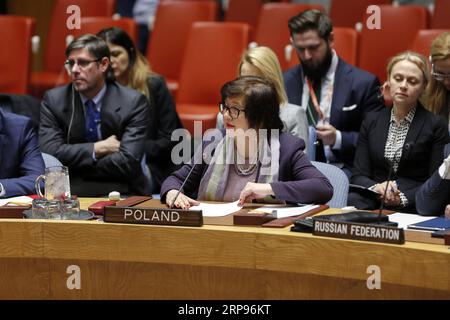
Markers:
<point>159,216</point>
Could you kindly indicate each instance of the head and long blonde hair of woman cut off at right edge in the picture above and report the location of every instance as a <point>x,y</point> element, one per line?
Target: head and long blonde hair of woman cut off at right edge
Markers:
<point>438,92</point>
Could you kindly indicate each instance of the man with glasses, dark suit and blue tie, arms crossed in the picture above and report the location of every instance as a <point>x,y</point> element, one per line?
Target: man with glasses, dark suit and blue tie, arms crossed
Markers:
<point>94,125</point>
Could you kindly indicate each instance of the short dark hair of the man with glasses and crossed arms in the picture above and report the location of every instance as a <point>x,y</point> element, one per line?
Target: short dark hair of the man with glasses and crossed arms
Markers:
<point>96,47</point>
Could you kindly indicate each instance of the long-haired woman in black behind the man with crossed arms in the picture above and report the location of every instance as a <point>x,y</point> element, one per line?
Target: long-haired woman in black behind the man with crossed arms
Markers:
<point>131,69</point>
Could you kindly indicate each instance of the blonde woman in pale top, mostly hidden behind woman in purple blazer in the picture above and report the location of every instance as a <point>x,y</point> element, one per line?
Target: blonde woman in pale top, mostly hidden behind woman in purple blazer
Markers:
<point>263,62</point>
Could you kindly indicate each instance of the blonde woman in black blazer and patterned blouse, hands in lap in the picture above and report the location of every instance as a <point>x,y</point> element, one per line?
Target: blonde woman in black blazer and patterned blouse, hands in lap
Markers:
<point>405,139</point>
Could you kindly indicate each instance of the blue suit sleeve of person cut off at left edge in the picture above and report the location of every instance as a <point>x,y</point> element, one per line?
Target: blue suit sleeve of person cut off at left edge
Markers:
<point>20,159</point>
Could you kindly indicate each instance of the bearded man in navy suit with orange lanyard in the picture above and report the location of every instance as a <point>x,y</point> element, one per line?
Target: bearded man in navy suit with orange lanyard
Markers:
<point>337,95</point>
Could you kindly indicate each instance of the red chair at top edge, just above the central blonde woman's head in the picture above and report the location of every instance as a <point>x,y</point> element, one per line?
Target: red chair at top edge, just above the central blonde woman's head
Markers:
<point>246,11</point>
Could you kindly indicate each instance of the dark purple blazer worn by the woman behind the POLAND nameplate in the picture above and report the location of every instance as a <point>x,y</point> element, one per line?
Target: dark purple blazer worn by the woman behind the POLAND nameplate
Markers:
<point>299,180</point>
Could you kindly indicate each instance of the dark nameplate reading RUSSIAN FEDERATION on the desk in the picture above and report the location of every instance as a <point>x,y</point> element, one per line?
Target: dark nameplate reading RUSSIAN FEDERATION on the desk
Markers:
<point>358,231</point>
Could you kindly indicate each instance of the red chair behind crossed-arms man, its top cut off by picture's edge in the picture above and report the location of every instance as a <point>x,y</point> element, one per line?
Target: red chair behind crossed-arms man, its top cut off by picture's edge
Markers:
<point>54,55</point>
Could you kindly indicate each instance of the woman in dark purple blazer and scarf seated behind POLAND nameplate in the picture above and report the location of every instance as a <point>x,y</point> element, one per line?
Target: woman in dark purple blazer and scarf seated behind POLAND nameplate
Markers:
<point>252,159</point>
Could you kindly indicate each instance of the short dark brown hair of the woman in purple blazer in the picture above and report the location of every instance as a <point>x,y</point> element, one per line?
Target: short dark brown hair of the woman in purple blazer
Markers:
<point>262,103</point>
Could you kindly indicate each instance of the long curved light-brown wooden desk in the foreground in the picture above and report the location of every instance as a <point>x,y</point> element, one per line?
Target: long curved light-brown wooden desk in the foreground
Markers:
<point>119,261</point>
